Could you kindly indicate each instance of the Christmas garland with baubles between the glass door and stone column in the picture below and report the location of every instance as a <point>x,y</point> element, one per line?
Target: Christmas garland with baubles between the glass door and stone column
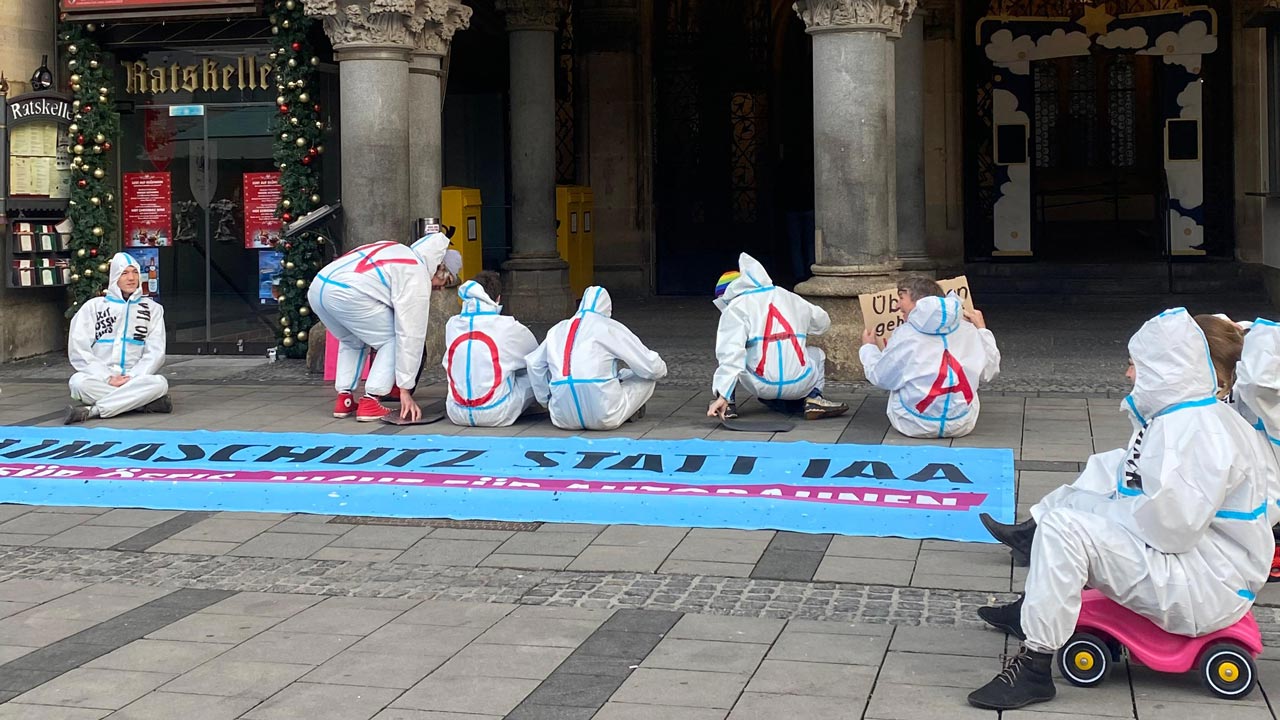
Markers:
<point>298,148</point>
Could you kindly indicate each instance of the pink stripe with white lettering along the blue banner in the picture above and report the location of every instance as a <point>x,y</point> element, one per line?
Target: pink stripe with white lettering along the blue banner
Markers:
<point>833,495</point>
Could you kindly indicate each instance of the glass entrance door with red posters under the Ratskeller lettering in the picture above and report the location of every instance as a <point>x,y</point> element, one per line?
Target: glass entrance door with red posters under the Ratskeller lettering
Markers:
<point>213,271</point>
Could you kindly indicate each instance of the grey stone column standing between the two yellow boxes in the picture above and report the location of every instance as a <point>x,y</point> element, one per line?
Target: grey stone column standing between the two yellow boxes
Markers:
<point>537,280</point>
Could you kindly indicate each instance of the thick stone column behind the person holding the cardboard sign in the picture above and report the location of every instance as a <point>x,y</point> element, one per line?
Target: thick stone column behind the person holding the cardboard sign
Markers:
<point>856,174</point>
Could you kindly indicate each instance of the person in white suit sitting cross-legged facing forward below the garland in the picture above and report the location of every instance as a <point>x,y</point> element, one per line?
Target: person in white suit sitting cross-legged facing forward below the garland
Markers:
<point>117,345</point>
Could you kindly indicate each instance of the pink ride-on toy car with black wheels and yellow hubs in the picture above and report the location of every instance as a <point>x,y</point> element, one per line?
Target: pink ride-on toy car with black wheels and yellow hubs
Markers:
<point>1224,660</point>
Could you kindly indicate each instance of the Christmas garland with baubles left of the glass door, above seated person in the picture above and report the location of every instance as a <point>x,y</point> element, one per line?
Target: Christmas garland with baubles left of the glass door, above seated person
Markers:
<point>95,126</point>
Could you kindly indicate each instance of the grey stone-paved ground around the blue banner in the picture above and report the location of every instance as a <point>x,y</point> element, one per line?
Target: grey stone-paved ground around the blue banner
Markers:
<point>150,614</point>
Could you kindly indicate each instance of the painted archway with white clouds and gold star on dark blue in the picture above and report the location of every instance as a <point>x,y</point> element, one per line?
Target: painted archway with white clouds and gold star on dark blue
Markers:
<point>1180,37</point>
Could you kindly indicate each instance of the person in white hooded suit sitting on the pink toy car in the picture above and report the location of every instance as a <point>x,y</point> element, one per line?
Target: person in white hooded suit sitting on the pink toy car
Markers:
<point>1182,537</point>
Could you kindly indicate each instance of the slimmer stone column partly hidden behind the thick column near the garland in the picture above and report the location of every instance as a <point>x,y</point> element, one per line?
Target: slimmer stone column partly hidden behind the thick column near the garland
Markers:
<point>433,26</point>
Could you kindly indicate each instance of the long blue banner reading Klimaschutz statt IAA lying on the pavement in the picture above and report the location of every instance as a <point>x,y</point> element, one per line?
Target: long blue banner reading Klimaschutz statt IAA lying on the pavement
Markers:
<point>854,490</point>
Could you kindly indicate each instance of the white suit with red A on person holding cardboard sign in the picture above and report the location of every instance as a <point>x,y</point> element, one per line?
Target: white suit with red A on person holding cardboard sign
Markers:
<point>932,368</point>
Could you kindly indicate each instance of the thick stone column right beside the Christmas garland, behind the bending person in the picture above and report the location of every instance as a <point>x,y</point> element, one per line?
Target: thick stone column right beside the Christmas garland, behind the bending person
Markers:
<point>373,45</point>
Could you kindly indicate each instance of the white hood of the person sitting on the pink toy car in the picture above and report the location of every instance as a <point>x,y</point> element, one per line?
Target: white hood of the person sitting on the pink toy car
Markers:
<point>1173,366</point>
